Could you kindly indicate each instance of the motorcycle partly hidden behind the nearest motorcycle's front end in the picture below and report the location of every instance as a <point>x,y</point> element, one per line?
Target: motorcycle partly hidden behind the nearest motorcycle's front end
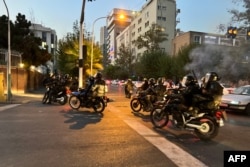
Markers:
<point>139,102</point>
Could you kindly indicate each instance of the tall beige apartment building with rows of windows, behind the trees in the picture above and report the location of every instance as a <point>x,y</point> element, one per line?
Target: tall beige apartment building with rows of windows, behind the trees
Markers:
<point>160,12</point>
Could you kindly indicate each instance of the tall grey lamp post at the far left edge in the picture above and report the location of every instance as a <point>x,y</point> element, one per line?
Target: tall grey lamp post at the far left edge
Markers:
<point>9,58</point>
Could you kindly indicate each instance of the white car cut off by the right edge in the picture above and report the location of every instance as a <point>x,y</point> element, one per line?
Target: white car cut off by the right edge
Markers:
<point>238,100</point>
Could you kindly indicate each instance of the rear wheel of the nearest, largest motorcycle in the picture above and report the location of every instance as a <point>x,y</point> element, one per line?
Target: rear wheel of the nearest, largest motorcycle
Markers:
<point>209,128</point>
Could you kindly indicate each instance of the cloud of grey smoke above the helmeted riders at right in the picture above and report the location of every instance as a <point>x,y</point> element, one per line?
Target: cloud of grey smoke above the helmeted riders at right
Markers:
<point>223,60</point>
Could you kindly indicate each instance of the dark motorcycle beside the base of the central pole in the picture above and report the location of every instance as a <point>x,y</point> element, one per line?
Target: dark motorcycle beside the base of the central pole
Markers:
<point>84,98</point>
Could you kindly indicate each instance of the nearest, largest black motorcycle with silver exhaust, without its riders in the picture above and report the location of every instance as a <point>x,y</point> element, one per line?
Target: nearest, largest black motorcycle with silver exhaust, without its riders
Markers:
<point>205,123</point>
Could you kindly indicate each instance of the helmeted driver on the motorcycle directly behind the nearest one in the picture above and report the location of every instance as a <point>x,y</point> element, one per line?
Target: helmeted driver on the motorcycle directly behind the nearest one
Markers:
<point>150,94</point>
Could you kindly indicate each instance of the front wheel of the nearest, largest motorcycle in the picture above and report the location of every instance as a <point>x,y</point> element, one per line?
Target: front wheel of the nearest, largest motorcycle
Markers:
<point>159,118</point>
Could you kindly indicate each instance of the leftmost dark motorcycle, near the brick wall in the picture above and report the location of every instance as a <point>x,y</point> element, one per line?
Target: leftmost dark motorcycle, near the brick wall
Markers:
<point>58,93</point>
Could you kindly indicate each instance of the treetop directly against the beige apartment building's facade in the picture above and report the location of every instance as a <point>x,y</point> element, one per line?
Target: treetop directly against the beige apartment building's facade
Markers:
<point>152,38</point>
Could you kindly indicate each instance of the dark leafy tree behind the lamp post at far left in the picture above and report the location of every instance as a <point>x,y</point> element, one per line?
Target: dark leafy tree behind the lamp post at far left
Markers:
<point>23,41</point>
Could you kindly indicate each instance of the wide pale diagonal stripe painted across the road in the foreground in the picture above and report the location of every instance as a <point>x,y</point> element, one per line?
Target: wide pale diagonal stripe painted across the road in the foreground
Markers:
<point>180,157</point>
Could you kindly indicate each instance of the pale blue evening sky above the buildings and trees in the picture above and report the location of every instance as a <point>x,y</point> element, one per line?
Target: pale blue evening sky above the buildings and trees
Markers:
<point>196,15</point>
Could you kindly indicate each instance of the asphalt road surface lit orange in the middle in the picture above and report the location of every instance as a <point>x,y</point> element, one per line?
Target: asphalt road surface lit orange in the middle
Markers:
<point>33,134</point>
